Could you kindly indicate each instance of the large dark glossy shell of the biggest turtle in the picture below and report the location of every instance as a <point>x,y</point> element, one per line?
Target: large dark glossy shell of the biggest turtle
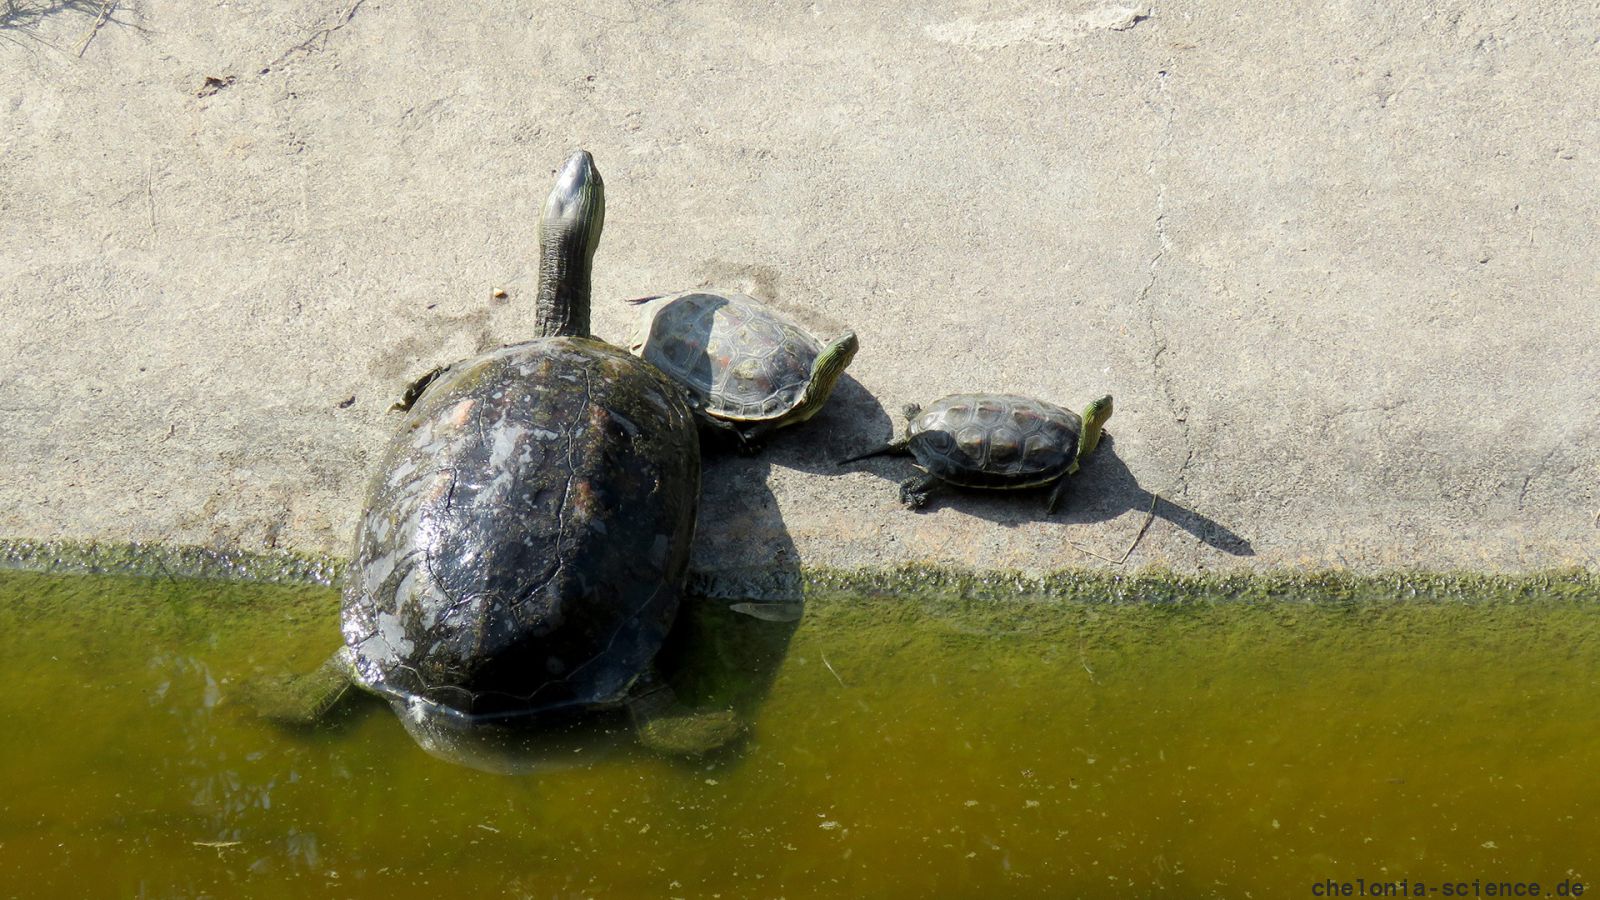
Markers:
<point>526,540</point>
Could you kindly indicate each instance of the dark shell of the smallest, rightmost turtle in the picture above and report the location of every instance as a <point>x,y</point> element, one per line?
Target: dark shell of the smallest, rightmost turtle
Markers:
<point>996,440</point>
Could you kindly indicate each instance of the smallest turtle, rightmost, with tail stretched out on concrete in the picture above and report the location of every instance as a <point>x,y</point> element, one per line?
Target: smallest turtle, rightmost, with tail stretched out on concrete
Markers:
<point>994,441</point>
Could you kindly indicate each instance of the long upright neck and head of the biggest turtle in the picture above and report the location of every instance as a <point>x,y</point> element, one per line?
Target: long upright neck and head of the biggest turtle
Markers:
<point>569,236</point>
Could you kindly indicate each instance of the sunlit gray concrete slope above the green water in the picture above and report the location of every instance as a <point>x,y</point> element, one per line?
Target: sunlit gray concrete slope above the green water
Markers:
<point>1337,262</point>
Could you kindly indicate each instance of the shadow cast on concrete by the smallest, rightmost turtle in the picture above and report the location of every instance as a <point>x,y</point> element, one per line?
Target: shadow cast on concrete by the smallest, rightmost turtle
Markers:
<point>1103,489</point>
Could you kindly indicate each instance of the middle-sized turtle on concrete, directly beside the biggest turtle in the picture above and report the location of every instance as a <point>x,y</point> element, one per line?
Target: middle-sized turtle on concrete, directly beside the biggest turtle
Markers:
<point>746,368</point>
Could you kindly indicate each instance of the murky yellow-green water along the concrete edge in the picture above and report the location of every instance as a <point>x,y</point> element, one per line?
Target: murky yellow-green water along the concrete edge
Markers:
<point>900,747</point>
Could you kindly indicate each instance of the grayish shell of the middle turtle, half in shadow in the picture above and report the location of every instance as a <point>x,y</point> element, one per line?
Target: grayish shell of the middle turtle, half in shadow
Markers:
<point>742,360</point>
